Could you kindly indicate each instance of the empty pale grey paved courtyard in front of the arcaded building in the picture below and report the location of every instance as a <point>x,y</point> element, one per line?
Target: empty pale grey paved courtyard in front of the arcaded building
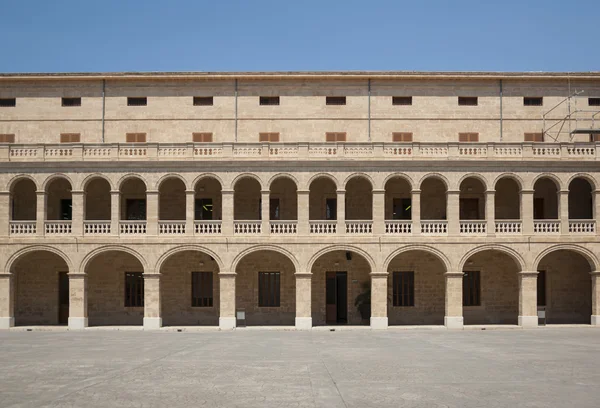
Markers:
<point>550,367</point>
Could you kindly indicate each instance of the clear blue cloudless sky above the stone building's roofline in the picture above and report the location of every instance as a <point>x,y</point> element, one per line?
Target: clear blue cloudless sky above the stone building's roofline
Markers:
<point>257,35</point>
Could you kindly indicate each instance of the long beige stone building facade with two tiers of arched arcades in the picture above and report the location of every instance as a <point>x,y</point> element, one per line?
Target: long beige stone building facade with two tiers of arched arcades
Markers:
<point>299,199</point>
